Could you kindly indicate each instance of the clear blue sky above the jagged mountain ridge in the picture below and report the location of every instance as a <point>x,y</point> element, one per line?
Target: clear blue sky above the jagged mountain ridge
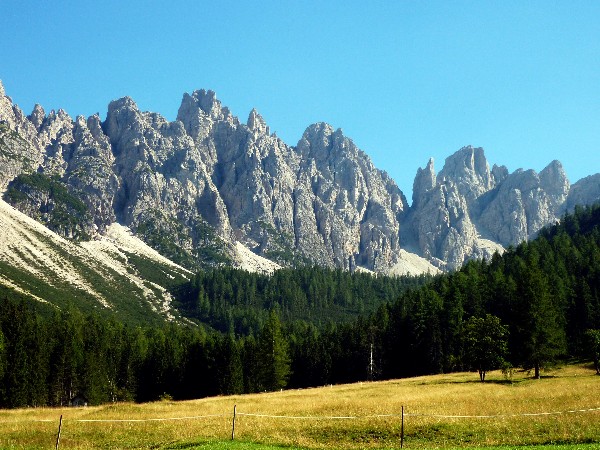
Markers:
<point>406,80</point>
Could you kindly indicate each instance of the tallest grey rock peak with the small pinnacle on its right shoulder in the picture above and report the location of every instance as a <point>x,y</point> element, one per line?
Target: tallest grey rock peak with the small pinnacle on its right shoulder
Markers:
<point>251,170</point>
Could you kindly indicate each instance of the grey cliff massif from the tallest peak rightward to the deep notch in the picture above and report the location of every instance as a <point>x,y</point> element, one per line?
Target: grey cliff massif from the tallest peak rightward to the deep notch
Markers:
<point>322,201</point>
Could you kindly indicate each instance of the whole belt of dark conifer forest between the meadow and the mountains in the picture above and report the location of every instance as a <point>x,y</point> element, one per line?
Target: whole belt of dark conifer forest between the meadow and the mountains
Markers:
<point>535,305</point>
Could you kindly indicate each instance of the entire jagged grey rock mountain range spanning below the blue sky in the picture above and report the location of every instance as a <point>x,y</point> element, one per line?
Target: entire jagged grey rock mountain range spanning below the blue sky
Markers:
<point>198,188</point>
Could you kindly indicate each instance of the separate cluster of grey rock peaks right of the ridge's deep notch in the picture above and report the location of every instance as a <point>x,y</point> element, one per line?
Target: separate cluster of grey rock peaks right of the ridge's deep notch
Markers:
<point>458,213</point>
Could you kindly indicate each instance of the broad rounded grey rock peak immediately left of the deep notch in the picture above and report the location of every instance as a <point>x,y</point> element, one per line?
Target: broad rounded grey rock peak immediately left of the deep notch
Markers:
<point>356,208</point>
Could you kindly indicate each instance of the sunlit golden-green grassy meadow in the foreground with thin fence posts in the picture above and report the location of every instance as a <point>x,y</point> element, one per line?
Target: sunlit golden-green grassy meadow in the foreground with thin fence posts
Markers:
<point>358,416</point>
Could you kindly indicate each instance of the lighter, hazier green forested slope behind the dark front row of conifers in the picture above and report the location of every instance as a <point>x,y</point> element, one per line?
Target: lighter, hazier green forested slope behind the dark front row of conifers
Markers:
<point>233,300</point>
